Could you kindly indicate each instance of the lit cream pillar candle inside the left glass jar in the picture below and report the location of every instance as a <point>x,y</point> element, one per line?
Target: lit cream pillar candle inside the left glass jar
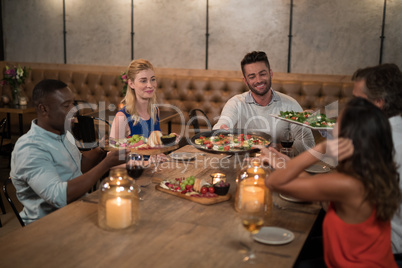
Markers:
<point>118,213</point>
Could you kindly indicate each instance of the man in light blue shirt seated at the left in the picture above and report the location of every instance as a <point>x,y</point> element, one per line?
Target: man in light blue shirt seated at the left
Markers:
<point>47,169</point>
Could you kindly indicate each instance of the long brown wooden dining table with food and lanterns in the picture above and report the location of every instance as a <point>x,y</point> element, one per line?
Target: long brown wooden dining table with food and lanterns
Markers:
<point>172,231</point>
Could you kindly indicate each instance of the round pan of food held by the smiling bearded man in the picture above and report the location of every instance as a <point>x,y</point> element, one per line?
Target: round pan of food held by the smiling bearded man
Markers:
<point>232,141</point>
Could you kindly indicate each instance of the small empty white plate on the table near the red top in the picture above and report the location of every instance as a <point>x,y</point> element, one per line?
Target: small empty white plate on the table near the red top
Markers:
<point>274,236</point>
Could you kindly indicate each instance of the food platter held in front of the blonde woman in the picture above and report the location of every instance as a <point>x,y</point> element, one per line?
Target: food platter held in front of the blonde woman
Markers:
<point>142,145</point>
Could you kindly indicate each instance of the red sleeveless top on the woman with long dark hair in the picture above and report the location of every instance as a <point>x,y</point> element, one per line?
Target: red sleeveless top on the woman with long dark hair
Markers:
<point>367,244</point>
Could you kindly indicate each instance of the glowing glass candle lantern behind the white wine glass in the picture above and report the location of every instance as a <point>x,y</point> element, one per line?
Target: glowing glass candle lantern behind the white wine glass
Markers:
<point>251,186</point>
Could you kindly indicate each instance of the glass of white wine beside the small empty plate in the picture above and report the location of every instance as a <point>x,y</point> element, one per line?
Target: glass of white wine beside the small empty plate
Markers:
<point>252,217</point>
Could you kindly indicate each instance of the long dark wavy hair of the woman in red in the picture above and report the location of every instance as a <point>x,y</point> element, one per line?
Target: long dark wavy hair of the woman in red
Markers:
<point>372,161</point>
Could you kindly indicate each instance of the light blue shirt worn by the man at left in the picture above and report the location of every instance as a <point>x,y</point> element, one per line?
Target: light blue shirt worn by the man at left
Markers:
<point>41,164</point>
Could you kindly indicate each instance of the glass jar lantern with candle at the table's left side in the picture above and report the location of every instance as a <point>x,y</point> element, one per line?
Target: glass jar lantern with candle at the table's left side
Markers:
<point>118,206</point>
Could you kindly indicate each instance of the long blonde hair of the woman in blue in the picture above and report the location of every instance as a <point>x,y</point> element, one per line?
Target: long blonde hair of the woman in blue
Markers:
<point>135,67</point>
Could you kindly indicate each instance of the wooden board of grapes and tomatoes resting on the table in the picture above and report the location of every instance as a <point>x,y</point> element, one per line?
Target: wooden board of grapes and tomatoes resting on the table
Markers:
<point>196,190</point>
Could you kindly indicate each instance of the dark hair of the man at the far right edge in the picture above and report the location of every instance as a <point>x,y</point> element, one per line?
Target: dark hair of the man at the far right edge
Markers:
<point>383,81</point>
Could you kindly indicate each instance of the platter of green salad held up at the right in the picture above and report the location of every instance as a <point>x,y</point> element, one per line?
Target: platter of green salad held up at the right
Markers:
<point>316,121</point>
